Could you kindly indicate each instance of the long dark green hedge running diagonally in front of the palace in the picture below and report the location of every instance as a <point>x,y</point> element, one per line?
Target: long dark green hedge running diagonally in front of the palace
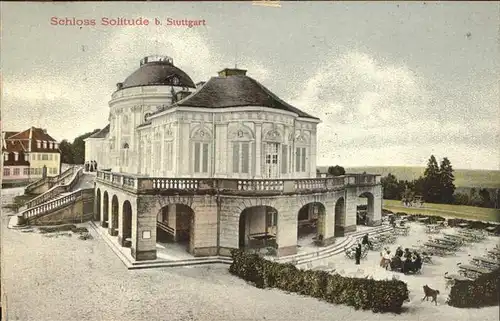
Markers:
<point>360,293</point>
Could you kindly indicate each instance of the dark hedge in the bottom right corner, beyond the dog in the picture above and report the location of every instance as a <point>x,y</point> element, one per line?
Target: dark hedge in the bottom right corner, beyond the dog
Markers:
<point>481,292</point>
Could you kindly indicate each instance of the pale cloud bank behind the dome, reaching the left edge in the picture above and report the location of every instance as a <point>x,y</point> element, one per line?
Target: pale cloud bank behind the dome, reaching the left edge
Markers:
<point>81,90</point>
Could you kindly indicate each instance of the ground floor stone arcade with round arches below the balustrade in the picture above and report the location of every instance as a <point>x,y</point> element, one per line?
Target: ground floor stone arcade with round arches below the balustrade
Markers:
<point>213,225</point>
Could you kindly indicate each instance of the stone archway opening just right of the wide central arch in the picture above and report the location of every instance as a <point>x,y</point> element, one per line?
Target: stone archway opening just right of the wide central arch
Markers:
<point>310,223</point>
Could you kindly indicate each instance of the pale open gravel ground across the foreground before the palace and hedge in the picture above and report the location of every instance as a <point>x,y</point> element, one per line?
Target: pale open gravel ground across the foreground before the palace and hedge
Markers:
<point>65,278</point>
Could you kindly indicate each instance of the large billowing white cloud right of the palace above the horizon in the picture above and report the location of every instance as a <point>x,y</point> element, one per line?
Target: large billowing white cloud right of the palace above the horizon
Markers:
<point>379,113</point>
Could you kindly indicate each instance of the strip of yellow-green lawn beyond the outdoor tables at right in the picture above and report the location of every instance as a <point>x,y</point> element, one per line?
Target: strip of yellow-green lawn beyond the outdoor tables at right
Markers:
<point>458,211</point>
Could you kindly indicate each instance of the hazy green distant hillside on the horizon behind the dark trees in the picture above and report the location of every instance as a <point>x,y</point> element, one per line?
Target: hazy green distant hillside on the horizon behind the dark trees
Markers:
<point>463,177</point>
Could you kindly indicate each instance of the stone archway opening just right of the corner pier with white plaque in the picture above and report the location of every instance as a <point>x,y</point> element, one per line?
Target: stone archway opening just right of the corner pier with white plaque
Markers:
<point>175,224</point>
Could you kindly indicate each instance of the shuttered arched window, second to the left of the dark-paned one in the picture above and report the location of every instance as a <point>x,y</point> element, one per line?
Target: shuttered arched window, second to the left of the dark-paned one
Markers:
<point>201,141</point>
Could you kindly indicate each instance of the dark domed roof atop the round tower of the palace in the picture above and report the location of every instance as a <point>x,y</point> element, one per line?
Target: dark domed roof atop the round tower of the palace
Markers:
<point>157,71</point>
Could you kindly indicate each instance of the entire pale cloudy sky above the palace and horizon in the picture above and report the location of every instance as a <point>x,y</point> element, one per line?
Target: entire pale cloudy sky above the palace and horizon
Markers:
<point>392,82</point>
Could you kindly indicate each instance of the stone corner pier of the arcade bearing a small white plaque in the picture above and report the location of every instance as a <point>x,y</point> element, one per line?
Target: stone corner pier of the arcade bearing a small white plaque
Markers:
<point>144,230</point>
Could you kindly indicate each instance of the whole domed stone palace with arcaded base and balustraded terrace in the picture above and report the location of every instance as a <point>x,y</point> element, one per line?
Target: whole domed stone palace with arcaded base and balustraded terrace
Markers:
<point>216,165</point>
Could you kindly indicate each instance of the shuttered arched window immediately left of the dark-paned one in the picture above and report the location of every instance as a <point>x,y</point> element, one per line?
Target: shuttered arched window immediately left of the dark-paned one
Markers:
<point>241,138</point>
